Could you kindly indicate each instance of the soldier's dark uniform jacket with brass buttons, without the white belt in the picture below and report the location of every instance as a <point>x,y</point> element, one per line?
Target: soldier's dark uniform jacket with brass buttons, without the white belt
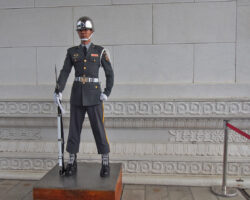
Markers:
<point>88,93</point>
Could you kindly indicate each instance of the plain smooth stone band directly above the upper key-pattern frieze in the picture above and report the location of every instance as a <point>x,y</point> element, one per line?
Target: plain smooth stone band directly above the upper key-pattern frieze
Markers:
<point>175,91</point>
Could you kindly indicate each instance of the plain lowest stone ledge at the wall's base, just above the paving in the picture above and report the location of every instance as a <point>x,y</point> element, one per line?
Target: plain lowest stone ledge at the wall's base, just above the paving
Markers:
<point>188,180</point>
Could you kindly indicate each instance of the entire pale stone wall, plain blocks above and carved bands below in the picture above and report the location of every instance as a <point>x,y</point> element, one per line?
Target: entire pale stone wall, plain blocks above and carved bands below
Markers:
<point>181,67</point>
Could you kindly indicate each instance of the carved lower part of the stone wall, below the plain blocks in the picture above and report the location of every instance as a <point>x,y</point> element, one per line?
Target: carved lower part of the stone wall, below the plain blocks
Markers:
<point>185,138</point>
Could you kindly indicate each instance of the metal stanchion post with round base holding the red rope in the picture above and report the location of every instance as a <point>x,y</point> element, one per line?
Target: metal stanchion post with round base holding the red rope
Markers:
<point>224,190</point>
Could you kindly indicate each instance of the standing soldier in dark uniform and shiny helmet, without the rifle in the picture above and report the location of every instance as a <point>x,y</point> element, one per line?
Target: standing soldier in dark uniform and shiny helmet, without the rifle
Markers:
<point>86,94</point>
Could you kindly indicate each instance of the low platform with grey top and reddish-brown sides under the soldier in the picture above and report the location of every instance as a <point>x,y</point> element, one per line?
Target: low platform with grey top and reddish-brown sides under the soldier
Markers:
<point>86,184</point>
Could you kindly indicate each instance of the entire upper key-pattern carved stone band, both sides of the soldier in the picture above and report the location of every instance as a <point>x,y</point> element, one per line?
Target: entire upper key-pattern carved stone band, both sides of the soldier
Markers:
<point>138,108</point>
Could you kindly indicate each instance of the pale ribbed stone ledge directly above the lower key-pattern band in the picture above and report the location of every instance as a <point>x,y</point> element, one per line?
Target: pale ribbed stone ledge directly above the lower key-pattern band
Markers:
<point>134,150</point>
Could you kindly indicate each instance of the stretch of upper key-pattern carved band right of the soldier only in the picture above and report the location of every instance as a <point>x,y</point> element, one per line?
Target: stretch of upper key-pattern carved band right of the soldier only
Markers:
<point>177,108</point>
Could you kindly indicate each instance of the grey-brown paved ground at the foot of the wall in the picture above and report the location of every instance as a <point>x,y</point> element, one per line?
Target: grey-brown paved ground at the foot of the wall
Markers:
<point>22,190</point>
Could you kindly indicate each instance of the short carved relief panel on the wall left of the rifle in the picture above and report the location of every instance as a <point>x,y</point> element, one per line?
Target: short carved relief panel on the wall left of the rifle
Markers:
<point>20,133</point>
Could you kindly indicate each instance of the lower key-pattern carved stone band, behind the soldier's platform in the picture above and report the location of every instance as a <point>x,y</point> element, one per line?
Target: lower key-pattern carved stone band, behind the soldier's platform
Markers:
<point>141,167</point>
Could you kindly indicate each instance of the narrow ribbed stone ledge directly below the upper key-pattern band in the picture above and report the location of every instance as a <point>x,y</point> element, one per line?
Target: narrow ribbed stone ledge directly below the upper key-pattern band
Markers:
<point>209,124</point>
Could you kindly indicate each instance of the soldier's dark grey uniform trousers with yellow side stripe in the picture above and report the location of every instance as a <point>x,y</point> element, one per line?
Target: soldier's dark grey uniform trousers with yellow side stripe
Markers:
<point>96,118</point>
